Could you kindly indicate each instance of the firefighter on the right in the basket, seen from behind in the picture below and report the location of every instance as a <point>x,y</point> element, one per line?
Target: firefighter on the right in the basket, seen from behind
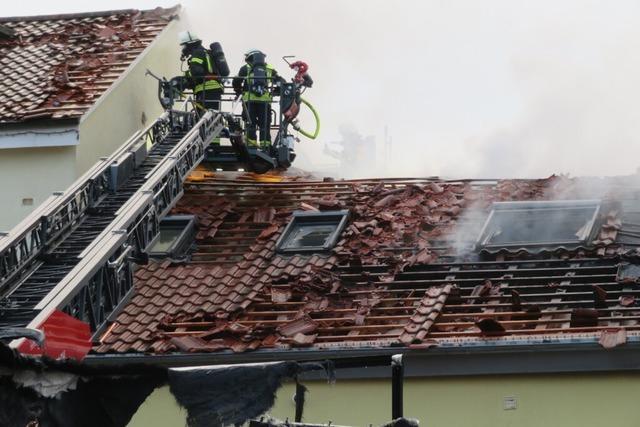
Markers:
<point>255,82</point>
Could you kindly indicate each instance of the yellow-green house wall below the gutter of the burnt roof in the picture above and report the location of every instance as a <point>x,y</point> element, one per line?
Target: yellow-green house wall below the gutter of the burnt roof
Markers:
<point>542,400</point>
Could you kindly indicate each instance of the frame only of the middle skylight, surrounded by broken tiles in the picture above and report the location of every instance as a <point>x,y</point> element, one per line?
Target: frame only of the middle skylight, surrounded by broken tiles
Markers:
<point>338,219</point>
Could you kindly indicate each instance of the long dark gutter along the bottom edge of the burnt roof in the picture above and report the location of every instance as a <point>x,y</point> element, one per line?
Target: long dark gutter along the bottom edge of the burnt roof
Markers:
<point>548,358</point>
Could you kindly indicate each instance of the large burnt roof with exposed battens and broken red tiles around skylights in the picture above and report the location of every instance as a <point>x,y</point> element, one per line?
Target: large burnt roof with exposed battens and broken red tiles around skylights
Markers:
<point>405,271</point>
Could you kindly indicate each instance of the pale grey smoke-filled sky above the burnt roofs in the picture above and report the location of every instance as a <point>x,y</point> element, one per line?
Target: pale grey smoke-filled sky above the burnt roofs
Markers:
<point>468,89</point>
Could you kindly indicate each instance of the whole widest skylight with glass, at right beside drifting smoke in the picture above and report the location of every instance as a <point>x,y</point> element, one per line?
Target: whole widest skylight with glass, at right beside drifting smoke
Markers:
<point>534,224</point>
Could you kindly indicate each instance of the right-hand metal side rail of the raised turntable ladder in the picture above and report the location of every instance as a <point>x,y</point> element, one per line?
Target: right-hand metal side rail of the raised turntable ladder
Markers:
<point>103,278</point>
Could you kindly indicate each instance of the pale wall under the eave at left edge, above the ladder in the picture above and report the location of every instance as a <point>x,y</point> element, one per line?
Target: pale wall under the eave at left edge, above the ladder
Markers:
<point>31,173</point>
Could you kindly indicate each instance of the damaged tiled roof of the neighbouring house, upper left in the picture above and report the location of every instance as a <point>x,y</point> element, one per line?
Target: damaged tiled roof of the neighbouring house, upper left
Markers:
<point>57,66</point>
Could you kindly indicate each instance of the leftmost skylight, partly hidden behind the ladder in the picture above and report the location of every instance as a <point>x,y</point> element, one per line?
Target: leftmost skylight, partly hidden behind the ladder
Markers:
<point>176,236</point>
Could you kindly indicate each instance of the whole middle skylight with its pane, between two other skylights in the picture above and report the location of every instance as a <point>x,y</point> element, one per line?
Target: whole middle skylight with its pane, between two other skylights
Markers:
<point>312,231</point>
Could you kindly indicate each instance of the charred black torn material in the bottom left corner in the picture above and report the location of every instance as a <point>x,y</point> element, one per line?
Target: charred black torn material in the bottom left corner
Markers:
<point>64,393</point>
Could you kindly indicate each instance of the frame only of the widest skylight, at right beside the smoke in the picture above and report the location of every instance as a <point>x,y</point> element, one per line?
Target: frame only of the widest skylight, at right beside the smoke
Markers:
<point>484,238</point>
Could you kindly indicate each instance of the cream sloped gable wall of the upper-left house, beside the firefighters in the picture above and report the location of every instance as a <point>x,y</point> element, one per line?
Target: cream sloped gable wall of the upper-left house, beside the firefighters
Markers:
<point>118,114</point>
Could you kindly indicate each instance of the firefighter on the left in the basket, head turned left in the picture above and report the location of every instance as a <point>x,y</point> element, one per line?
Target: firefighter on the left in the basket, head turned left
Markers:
<point>204,74</point>
